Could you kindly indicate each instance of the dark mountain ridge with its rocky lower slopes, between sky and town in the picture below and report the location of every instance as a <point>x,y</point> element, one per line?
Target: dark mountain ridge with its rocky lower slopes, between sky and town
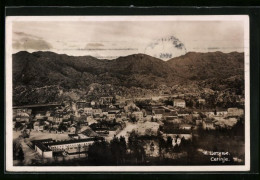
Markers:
<point>137,74</point>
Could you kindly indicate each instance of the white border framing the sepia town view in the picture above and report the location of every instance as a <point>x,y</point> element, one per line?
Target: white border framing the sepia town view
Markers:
<point>8,100</point>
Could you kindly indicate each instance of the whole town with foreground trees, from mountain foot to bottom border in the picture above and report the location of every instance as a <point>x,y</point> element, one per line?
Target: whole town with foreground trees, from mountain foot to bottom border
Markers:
<point>166,129</point>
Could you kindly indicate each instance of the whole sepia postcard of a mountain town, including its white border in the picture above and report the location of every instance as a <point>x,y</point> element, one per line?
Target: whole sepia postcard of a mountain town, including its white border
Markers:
<point>127,93</point>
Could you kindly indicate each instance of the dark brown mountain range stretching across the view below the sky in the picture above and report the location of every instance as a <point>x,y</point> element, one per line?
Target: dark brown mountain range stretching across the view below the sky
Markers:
<point>39,69</point>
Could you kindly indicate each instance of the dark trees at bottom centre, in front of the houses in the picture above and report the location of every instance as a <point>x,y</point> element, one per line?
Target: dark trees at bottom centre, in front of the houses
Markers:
<point>133,152</point>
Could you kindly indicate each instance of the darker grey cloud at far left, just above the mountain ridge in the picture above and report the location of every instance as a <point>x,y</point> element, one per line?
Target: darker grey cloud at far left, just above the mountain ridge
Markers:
<point>29,43</point>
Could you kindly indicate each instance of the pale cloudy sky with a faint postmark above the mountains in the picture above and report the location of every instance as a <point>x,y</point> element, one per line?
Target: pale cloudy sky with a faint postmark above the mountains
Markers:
<point>109,40</point>
